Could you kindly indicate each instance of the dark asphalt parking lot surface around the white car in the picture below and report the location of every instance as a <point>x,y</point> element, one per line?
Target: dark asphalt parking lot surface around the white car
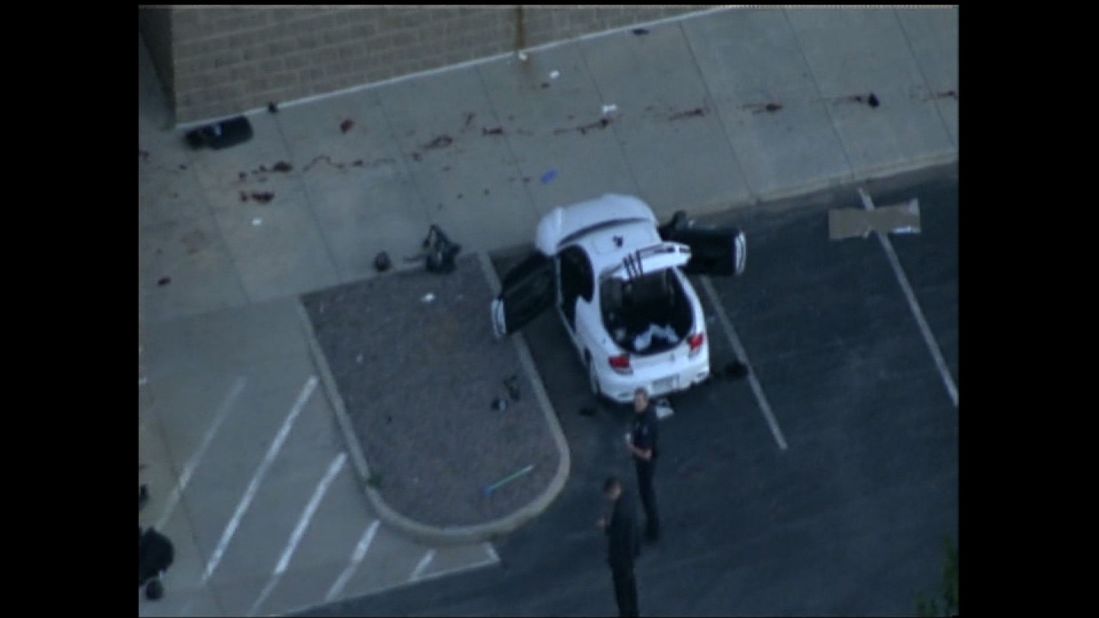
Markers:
<point>849,520</point>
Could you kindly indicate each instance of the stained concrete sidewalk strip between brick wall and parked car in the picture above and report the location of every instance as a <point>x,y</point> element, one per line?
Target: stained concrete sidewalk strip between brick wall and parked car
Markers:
<point>485,150</point>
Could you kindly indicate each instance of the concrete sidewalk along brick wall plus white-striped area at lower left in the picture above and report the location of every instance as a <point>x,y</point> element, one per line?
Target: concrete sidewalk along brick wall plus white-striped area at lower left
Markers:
<point>229,239</point>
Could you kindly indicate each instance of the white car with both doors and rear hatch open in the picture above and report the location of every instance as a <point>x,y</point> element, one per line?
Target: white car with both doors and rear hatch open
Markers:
<point>619,283</point>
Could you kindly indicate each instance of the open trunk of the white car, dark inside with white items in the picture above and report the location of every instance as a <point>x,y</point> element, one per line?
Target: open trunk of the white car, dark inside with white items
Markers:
<point>647,315</point>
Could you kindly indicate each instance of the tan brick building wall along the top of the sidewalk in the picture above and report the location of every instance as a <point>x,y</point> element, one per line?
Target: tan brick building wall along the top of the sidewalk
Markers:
<point>226,61</point>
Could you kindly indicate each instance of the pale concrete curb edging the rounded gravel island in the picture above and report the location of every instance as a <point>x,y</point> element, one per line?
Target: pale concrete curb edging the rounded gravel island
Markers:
<point>457,535</point>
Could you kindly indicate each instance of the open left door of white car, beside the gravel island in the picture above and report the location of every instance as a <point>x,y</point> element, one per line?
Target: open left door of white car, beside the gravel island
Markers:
<point>528,290</point>
